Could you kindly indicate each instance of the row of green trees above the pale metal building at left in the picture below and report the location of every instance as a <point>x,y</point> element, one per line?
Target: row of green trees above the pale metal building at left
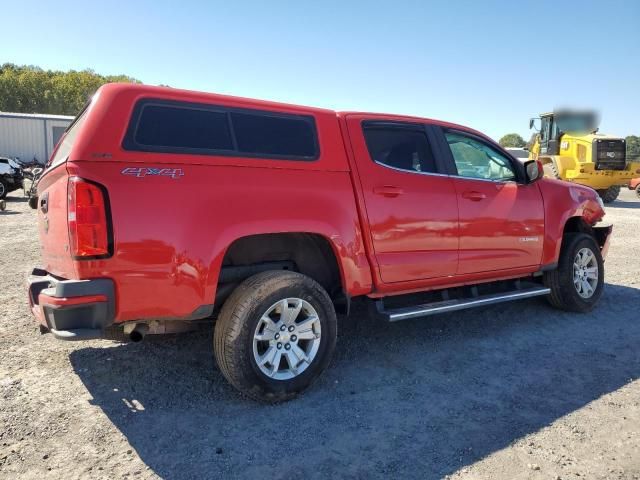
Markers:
<point>29,89</point>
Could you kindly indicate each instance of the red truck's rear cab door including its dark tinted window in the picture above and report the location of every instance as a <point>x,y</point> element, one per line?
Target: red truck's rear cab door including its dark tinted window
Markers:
<point>410,204</point>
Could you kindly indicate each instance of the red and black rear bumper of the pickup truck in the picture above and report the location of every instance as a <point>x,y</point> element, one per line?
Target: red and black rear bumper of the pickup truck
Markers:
<point>71,309</point>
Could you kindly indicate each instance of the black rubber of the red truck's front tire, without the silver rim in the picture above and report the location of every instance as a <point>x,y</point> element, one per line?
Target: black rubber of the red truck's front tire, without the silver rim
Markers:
<point>563,293</point>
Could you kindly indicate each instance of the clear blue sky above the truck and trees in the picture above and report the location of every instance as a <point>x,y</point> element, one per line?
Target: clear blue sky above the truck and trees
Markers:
<point>485,64</point>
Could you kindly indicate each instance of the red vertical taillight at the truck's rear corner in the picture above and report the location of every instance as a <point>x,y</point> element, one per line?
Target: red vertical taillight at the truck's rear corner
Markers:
<point>89,222</point>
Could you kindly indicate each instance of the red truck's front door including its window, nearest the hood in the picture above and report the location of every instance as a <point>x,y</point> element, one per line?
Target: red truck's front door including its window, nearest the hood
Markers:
<point>501,217</point>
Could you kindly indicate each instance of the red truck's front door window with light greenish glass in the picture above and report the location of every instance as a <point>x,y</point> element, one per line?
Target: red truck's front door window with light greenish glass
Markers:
<point>476,159</point>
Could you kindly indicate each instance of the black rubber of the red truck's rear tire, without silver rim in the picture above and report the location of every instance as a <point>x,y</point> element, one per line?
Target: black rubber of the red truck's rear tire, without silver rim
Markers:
<point>238,320</point>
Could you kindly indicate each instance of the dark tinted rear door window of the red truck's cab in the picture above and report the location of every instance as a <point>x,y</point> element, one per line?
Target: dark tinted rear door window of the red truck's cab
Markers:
<point>401,146</point>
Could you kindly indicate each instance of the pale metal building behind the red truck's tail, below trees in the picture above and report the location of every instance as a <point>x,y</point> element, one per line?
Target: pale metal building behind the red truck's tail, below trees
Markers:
<point>29,135</point>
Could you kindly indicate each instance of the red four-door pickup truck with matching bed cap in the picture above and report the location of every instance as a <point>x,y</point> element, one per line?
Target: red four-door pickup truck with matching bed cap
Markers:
<point>163,208</point>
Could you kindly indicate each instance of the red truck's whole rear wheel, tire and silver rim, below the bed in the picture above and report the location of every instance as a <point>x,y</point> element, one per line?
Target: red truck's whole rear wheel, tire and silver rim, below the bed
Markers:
<point>275,335</point>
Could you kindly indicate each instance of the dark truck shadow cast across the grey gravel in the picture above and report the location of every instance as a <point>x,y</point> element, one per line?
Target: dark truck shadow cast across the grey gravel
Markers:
<point>419,398</point>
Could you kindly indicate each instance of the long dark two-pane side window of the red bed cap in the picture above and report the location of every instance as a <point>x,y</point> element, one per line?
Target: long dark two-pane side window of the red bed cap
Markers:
<point>174,127</point>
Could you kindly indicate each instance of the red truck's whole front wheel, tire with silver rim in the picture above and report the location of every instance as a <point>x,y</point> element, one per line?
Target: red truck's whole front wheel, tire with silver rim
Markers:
<point>576,285</point>
